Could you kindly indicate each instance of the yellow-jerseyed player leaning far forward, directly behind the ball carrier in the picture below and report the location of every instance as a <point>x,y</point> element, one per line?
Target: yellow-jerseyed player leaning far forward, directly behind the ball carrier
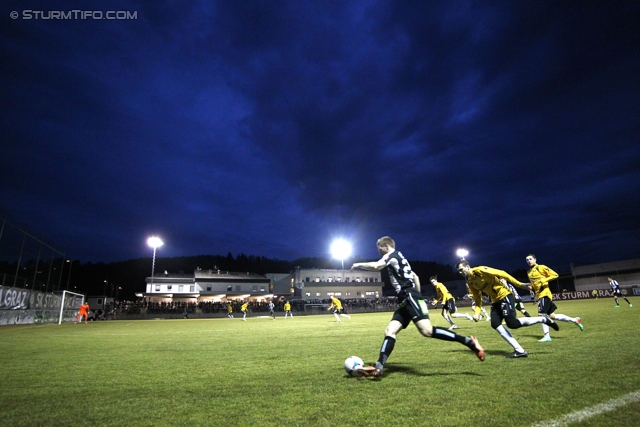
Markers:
<point>487,280</point>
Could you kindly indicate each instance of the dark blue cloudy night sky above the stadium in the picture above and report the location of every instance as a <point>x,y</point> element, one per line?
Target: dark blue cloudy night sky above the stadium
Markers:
<point>270,128</point>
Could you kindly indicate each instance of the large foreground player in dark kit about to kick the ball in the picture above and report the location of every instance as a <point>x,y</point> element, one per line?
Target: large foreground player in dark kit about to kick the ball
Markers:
<point>411,306</point>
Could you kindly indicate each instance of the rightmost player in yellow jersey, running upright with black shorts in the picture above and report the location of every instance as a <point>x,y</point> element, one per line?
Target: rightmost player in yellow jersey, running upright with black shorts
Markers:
<point>540,276</point>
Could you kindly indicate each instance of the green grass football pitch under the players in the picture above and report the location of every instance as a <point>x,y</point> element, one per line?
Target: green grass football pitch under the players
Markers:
<point>290,372</point>
